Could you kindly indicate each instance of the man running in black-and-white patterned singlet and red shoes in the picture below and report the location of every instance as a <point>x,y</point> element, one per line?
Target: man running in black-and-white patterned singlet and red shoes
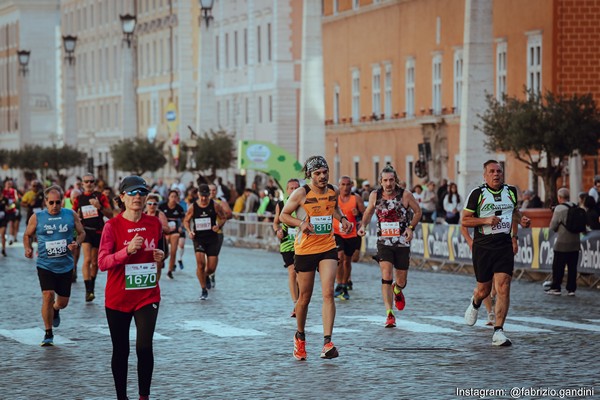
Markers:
<point>395,227</point>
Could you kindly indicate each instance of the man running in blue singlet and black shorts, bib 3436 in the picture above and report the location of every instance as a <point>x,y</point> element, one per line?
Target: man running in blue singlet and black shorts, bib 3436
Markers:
<point>54,228</point>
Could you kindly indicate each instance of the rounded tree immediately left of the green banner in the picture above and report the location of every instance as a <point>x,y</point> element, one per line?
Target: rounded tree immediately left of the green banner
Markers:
<point>214,151</point>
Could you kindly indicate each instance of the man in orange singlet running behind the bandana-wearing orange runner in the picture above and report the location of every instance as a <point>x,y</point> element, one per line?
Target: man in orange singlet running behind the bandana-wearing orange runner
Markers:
<point>347,244</point>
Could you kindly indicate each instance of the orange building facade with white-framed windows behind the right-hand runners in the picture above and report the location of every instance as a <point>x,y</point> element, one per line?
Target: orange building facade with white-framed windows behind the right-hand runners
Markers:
<point>396,80</point>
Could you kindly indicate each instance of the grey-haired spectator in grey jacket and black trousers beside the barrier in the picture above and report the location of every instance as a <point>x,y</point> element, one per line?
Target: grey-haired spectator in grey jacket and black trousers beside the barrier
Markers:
<point>566,247</point>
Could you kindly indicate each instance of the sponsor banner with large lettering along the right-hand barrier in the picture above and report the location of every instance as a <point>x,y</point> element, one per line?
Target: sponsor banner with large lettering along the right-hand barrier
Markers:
<point>445,243</point>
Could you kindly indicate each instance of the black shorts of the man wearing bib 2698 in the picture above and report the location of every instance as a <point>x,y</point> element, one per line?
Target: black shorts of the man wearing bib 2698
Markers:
<point>487,262</point>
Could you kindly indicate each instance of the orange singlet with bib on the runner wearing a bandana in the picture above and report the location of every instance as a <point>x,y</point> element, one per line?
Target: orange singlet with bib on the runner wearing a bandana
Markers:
<point>319,211</point>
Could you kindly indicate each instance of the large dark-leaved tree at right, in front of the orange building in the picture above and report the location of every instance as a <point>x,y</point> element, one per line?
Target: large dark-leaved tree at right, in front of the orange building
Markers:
<point>542,131</point>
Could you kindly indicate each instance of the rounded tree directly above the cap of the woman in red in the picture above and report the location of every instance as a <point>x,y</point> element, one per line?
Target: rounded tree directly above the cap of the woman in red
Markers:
<point>138,155</point>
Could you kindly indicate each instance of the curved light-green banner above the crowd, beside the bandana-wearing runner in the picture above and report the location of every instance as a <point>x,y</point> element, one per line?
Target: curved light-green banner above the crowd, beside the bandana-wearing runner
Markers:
<point>270,159</point>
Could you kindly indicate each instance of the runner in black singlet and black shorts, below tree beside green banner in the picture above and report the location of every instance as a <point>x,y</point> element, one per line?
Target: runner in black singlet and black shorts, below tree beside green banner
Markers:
<point>204,213</point>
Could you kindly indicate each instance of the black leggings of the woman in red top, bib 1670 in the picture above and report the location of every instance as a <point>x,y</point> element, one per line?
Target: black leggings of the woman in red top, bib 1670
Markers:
<point>119,323</point>
